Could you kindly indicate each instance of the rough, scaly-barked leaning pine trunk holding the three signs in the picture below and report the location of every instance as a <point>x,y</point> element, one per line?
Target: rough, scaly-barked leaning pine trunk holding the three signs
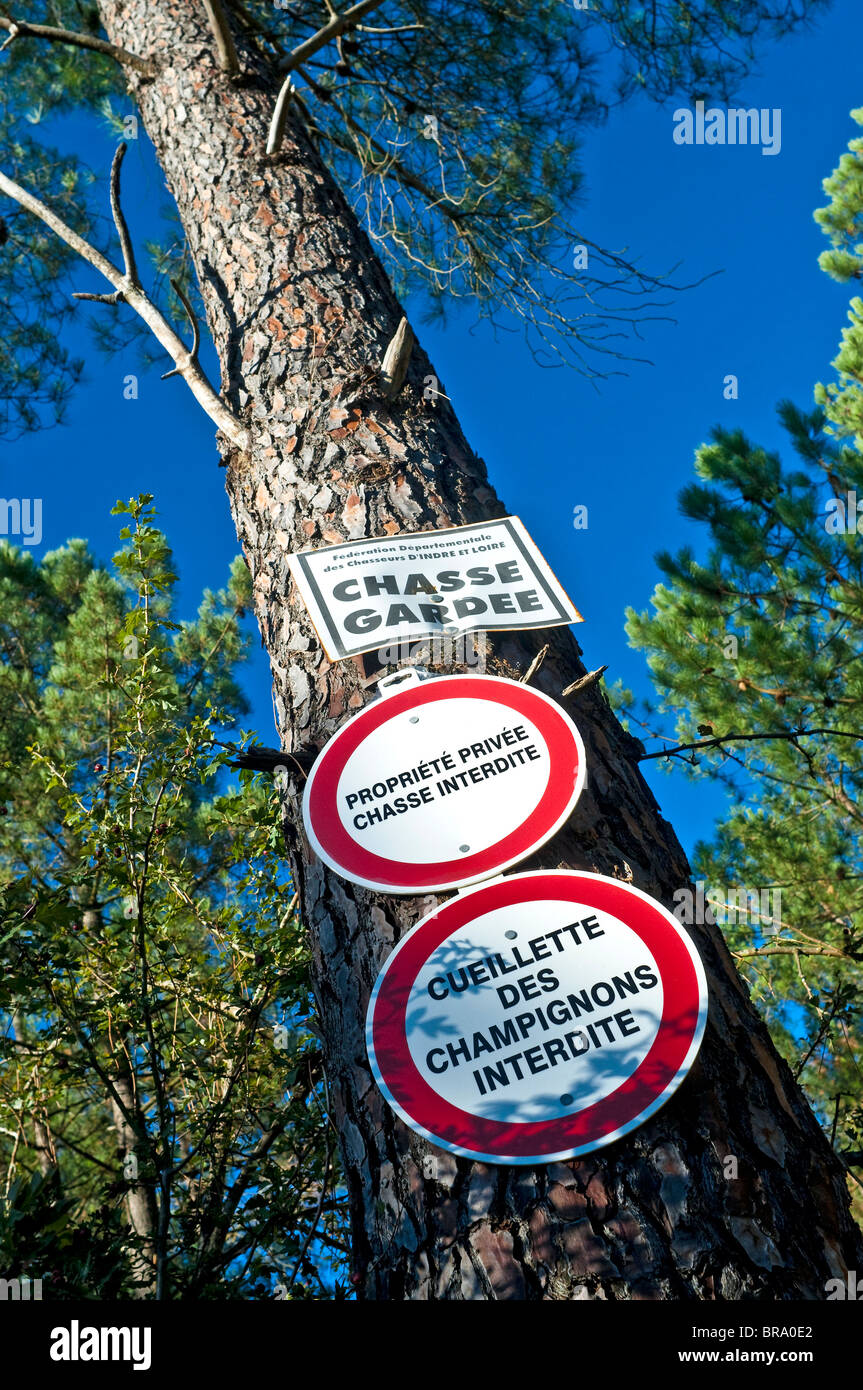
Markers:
<point>299,309</point>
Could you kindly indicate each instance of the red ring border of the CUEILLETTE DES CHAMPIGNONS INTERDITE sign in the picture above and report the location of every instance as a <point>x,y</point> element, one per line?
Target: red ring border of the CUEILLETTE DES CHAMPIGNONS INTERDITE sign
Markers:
<point>622,1107</point>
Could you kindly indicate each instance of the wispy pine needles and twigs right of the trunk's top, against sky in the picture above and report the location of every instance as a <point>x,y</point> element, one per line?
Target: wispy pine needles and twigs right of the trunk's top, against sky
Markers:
<point>457,127</point>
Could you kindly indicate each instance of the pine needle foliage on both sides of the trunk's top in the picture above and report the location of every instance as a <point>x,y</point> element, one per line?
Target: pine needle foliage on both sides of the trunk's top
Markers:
<point>452,124</point>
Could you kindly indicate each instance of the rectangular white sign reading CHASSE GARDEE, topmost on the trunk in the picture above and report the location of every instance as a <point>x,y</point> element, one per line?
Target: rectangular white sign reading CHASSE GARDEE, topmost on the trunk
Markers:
<point>368,594</point>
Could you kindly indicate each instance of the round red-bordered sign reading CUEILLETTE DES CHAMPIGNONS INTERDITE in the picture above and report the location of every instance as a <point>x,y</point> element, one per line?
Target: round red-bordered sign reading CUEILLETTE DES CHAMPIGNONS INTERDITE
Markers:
<point>537,1018</point>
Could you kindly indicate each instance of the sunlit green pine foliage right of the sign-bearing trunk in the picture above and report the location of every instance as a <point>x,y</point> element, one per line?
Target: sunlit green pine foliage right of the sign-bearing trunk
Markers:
<point>755,655</point>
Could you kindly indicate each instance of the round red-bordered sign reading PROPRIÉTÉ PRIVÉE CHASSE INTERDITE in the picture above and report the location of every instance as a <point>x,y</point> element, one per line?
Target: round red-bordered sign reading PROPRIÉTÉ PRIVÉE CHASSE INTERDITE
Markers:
<point>444,783</point>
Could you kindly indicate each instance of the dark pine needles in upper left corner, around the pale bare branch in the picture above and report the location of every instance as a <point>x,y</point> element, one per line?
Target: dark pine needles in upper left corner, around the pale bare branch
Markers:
<point>41,81</point>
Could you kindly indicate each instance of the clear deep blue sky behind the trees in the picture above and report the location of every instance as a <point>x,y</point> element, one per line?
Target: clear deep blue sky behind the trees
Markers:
<point>551,441</point>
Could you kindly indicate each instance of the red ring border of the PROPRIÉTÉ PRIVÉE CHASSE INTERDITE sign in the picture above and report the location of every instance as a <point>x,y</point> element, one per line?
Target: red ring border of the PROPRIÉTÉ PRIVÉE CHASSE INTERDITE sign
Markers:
<point>351,857</point>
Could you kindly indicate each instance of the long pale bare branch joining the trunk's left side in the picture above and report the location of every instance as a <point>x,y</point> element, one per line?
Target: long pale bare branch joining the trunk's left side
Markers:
<point>126,290</point>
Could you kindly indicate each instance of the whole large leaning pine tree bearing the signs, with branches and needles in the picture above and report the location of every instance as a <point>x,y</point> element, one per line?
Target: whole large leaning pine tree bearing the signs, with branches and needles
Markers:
<point>438,117</point>
